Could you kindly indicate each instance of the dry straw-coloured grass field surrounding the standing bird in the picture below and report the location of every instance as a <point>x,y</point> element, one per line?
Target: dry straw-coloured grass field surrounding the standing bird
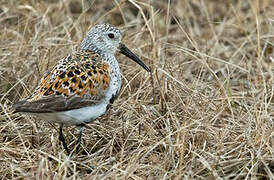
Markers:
<point>204,112</point>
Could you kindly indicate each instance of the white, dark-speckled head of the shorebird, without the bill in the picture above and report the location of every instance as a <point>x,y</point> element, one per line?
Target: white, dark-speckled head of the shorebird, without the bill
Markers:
<point>103,39</point>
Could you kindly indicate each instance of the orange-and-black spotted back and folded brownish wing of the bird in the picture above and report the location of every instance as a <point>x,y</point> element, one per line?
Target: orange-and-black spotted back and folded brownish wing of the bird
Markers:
<point>80,80</point>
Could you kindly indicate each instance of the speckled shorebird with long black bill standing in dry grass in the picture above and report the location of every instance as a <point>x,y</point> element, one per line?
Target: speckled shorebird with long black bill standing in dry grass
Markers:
<point>81,86</point>
